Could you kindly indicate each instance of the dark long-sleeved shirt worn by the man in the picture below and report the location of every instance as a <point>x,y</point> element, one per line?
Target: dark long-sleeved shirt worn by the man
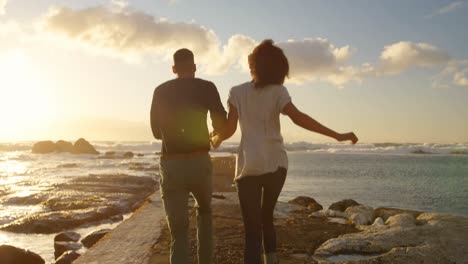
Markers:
<point>179,114</point>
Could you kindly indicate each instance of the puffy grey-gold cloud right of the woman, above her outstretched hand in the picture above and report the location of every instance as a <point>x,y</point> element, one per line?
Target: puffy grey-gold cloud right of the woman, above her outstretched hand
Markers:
<point>398,57</point>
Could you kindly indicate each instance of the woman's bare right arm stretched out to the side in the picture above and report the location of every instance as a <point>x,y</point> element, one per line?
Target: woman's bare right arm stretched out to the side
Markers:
<point>307,122</point>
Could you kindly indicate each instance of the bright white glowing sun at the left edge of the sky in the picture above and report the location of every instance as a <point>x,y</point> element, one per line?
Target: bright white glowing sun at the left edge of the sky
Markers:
<point>24,100</point>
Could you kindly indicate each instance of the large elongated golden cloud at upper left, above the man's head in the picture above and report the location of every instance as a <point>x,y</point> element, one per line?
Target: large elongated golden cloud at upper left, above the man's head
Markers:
<point>127,32</point>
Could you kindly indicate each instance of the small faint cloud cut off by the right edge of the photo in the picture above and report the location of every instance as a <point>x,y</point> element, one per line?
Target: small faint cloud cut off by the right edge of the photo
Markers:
<point>454,74</point>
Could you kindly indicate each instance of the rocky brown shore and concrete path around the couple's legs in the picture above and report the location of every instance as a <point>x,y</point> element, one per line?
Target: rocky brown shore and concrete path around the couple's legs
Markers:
<point>360,234</point>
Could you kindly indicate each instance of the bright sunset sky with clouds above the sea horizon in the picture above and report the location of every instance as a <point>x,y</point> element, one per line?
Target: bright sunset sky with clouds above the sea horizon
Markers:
<point>391,71</point>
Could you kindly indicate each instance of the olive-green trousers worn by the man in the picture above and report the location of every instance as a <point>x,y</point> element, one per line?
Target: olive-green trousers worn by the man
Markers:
<point>179,178</point>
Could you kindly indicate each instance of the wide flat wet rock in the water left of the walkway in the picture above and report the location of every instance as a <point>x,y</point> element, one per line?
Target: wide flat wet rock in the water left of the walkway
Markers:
<point>85,200</point>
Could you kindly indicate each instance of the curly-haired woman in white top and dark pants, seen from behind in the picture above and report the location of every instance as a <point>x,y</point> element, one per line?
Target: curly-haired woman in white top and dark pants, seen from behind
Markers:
<point>262,160</point>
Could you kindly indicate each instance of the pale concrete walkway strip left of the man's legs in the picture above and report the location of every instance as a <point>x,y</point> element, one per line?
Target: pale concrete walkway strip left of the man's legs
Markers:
<point>132,240</point>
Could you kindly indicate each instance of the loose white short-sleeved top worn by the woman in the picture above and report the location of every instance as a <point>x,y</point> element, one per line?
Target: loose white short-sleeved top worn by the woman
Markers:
<point>261,148</point>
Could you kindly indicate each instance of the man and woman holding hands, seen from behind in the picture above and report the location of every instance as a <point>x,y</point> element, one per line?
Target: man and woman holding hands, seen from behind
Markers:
<point>179,118</point>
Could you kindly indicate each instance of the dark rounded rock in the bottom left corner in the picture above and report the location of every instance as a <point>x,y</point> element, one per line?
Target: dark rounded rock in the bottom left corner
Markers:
<point>14,255</point>
